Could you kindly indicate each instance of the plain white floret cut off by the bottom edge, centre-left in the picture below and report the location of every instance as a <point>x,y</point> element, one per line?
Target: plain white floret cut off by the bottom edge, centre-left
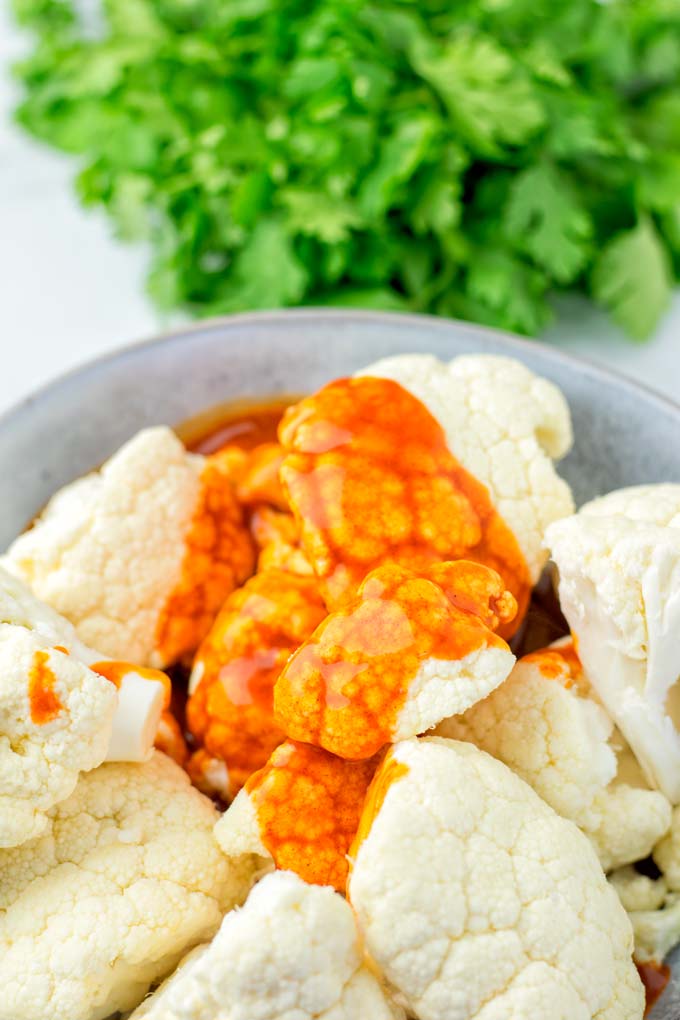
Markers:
<point>291,954</point>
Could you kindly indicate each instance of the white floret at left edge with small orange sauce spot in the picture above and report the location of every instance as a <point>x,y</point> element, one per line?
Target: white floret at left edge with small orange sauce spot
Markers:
<point>57,716</point>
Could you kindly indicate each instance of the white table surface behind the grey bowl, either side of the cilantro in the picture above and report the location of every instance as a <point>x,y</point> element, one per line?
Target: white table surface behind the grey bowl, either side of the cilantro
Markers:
<point>70,292</point>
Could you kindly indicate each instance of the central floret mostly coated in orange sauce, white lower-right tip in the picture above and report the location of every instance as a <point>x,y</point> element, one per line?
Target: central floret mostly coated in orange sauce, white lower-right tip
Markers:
<point>409,651</point>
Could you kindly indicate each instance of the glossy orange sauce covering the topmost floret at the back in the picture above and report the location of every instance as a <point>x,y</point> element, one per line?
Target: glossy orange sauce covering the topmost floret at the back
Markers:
<point>372,480</point>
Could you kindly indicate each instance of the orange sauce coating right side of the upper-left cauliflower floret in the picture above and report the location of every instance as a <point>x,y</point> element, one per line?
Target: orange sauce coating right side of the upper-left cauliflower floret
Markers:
<point>219,557</point>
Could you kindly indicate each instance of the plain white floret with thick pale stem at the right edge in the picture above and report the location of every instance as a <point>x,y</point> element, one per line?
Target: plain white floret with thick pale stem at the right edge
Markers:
<point>620,591</point>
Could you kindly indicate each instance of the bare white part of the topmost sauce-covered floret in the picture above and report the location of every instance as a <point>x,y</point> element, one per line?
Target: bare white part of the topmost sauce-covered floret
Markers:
<point>505,426</point>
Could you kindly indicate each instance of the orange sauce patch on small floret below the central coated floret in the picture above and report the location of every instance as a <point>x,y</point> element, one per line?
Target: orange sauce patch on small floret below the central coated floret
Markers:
<point>308,806</point>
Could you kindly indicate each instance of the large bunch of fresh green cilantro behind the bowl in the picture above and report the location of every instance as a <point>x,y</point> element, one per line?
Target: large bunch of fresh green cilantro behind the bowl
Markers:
<point>466,159</point>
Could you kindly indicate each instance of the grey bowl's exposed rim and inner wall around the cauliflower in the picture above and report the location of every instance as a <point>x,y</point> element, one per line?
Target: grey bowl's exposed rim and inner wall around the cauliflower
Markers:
<point>624,435</point>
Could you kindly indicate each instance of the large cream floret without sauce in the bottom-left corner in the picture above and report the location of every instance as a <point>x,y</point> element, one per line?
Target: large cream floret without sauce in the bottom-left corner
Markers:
<point>127,880</point>
